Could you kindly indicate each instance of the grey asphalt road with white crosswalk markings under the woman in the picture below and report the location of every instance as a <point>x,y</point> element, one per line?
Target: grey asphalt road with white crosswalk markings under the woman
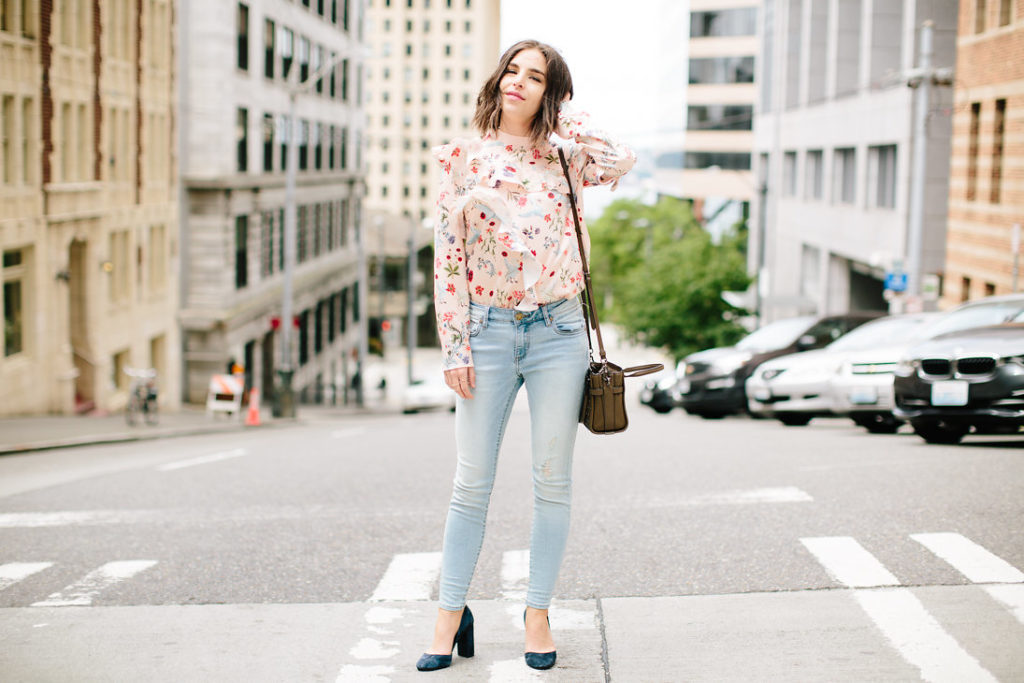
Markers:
<point>701,550</point>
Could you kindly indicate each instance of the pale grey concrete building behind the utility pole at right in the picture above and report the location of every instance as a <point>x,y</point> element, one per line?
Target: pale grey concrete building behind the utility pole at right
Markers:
<point>834,140</point>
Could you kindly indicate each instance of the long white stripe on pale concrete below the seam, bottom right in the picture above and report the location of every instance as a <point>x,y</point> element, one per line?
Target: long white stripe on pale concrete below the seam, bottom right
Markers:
<point>919,638</point>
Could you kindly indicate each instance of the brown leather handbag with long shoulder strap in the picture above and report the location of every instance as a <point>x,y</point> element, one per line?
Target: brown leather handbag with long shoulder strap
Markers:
<point>604,409</point>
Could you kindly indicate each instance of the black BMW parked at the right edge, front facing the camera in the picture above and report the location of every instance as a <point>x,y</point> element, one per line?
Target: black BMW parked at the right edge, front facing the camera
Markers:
<point>961,381</point>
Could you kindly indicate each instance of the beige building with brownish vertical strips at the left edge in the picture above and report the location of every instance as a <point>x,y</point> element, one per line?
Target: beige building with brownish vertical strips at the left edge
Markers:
<point>89,203</point>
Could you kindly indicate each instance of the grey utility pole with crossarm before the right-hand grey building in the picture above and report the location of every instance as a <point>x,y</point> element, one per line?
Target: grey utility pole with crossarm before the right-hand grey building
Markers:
<point>922,79</point>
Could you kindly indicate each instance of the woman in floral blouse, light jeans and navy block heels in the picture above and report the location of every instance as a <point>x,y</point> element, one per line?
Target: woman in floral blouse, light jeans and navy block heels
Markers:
<point>507,276</point>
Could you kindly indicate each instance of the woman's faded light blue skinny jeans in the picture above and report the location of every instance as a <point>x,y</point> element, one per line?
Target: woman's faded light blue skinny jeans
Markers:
<point>547,352</point>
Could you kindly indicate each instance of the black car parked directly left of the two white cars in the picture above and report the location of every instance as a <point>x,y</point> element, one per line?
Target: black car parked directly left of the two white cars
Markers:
<point>714,385</point>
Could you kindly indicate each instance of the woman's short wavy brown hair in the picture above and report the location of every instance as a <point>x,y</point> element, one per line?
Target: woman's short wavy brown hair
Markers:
<point>559,83</point>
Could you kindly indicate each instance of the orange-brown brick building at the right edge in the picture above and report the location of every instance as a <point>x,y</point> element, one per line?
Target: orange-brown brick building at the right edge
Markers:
<point>987,193</point>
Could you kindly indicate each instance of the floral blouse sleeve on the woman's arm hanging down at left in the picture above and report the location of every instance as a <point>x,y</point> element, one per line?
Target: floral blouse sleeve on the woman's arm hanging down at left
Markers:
<point>451,277</point>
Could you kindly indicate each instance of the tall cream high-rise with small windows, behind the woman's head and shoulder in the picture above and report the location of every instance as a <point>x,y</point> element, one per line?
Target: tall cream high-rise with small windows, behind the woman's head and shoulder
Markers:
<point>429,61</point>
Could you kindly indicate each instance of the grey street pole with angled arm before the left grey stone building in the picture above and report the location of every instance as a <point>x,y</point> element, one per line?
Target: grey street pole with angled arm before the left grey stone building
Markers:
<point>286,371</point>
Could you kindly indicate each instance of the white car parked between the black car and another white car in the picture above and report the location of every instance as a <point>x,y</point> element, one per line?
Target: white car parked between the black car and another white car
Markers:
<point>797,389</point>
